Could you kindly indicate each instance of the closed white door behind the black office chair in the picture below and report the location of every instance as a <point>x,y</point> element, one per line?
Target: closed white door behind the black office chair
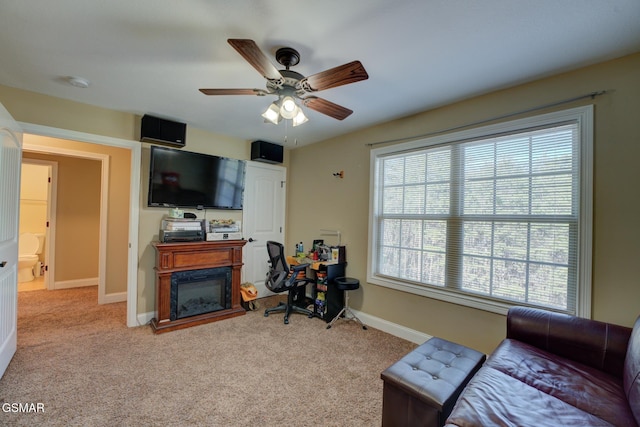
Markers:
<point>262,219</point>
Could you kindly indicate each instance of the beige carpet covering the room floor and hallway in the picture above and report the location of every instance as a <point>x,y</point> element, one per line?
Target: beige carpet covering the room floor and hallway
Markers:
<point>87,368</point>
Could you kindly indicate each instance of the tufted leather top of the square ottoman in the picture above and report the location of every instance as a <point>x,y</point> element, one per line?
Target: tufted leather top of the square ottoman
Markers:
<point>435,372</point>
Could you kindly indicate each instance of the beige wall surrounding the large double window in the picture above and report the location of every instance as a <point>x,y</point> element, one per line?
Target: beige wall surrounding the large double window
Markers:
<point>344,203</point>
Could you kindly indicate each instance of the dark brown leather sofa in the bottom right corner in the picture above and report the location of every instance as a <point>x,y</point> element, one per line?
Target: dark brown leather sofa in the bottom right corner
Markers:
<point>556,370</point>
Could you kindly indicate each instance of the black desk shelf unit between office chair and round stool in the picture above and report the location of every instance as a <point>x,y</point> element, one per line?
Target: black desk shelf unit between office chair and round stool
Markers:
<point>328,300</point>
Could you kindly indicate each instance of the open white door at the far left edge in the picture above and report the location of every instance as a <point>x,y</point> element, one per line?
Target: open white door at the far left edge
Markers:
<point>10,164</point>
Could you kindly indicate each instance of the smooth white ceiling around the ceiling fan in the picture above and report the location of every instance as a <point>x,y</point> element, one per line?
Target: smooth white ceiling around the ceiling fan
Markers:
<point>152,56</point>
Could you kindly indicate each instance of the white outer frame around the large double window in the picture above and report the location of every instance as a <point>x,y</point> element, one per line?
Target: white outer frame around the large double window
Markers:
<point>583,117</point>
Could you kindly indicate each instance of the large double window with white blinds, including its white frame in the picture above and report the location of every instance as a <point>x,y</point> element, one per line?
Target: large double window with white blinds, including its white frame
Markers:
<point>490,217</point>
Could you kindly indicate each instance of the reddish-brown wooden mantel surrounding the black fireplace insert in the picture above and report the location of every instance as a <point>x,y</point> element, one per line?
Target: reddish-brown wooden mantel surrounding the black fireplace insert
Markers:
<point>188,256</point>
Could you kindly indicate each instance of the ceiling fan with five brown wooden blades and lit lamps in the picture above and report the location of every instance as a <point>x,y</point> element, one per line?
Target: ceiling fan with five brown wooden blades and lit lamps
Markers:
<point>289,85</point>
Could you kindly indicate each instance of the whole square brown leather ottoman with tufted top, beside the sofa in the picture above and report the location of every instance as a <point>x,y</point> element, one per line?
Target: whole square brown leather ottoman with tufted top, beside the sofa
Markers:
<point>421,388</point>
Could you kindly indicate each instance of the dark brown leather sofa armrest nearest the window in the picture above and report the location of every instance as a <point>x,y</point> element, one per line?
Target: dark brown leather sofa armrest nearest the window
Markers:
<point>593,343</point>
